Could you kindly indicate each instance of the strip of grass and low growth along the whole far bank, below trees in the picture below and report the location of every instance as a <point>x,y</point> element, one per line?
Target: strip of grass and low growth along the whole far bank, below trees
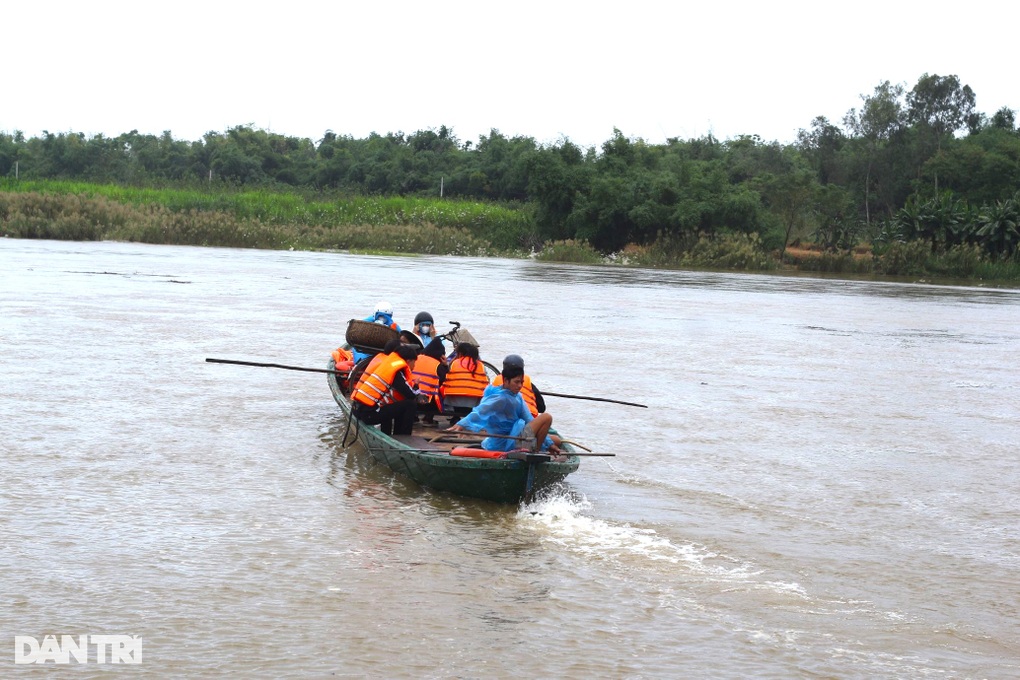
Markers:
<point>80,212</point>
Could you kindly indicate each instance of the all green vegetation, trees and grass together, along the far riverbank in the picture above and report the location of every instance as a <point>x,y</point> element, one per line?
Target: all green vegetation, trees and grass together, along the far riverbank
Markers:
<point>896,172</point>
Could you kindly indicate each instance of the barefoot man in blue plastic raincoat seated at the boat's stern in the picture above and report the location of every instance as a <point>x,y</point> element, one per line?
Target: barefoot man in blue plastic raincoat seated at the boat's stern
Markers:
<point>503,413</point>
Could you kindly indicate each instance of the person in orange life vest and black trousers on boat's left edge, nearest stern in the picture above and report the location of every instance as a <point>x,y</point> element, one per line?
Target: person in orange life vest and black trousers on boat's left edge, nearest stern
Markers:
<point>385,394</point>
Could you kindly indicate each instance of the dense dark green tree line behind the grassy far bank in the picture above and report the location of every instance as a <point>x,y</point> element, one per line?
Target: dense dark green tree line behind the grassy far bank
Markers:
<point>917,165</point>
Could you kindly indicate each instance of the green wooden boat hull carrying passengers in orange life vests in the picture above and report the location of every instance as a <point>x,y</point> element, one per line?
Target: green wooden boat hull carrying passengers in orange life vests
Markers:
<point>428,455</point>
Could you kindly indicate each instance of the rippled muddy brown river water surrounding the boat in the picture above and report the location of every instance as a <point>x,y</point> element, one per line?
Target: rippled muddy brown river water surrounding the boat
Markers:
<point>826,484</point>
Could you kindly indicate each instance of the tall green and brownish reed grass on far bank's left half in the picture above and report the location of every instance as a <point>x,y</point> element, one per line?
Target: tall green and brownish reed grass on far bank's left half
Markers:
<point>68,211</point>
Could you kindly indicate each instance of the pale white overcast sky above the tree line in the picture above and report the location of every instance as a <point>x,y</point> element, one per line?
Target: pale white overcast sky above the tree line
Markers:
<point>548,70</point>
